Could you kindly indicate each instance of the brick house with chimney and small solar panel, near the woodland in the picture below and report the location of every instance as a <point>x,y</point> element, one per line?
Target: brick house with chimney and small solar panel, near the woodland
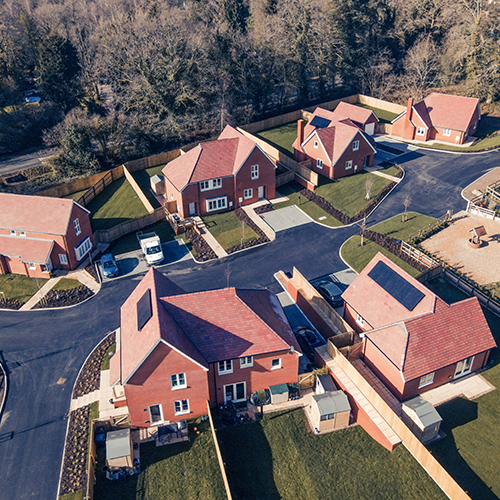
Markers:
<point>335,145</point>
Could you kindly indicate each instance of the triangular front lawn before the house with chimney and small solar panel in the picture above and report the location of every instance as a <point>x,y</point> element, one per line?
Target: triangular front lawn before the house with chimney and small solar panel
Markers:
<point>347,194</point>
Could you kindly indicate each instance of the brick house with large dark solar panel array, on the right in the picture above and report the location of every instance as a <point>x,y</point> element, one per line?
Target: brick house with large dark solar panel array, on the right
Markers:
<point>412,339</point>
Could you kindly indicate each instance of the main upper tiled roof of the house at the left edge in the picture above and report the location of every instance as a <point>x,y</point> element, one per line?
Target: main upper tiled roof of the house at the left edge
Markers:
<point>38,214</point>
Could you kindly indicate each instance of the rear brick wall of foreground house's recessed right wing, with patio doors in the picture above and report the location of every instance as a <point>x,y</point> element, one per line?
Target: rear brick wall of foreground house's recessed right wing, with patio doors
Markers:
<point>259,376</point>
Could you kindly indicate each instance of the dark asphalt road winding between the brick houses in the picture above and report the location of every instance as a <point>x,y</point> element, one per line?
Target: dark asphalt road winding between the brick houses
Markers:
<point>41,347</point>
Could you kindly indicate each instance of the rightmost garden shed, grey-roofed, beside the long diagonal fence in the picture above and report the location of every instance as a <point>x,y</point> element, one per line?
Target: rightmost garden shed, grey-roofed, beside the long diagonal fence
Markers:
<point>421,418</point>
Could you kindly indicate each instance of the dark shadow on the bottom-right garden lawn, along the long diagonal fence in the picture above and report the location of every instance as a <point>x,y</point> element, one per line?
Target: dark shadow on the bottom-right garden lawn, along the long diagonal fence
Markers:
<point>456,413</point>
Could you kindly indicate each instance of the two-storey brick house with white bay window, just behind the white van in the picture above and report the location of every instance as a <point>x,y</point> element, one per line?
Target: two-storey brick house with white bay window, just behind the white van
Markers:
<point>219,175</point>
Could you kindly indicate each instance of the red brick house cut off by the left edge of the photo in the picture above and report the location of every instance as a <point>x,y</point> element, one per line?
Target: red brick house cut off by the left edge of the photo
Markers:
<point>38,233</point>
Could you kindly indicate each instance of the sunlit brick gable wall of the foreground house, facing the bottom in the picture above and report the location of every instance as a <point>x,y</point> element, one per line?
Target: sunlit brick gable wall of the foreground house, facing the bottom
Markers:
<point>150,385</point>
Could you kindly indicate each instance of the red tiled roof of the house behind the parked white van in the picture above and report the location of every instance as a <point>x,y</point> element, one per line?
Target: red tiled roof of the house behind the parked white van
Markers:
<point>210,160</point>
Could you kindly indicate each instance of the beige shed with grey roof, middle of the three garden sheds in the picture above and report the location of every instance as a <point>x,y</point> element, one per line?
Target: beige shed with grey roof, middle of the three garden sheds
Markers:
<point>330,410</point>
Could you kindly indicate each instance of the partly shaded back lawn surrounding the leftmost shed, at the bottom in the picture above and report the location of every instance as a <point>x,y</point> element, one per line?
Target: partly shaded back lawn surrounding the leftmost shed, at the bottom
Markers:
<point>181,471</point>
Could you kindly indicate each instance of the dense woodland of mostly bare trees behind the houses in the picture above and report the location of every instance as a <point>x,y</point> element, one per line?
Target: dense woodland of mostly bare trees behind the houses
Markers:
<point>122,79</point>
